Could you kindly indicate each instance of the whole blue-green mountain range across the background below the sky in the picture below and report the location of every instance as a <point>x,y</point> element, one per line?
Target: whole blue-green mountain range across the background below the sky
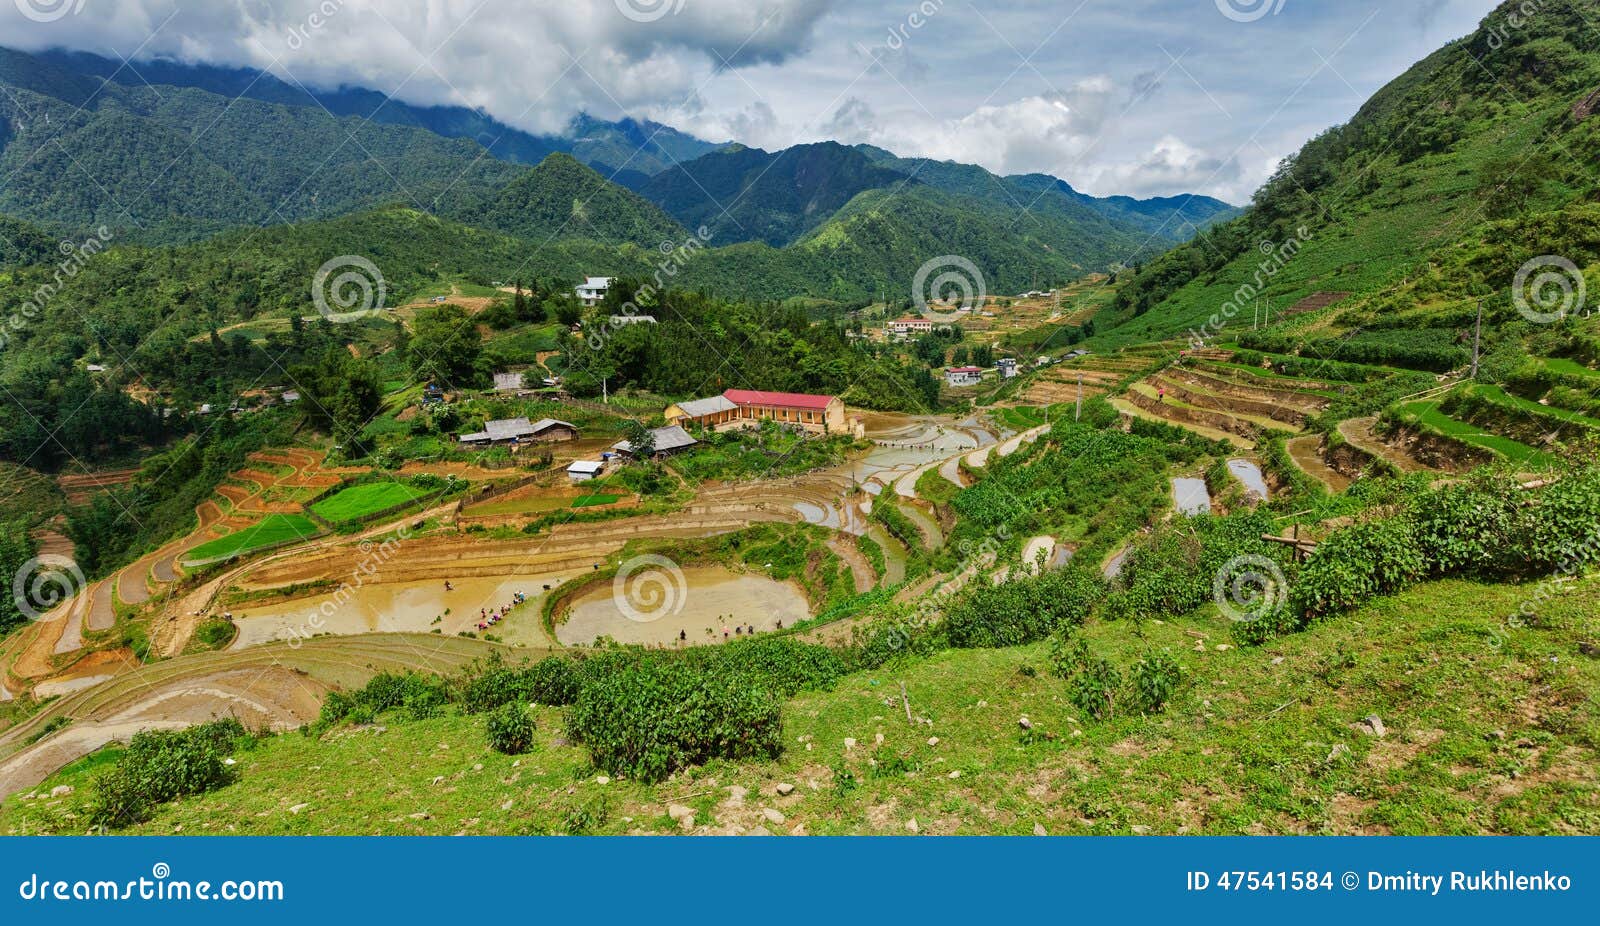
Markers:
<point>202,150</point>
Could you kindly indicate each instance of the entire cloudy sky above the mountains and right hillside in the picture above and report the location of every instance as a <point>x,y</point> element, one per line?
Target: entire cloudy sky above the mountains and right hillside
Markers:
<point>1116,97</point>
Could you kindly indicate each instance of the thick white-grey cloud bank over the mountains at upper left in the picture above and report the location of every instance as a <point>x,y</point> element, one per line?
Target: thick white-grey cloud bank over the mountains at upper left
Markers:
<point>532,63</point>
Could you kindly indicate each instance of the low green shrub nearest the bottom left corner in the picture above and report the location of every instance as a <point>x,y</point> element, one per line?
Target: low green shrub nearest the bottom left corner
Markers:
<point>162,765</point>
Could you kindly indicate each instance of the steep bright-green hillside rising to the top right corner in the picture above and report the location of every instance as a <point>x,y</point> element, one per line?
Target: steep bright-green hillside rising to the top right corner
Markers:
<point>1479,146</point>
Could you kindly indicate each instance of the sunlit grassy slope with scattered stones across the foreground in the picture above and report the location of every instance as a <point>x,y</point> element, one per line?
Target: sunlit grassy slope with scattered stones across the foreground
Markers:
<point>1489,730</point>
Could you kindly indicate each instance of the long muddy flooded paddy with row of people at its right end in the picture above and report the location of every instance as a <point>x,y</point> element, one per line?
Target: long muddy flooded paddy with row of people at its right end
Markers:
<point>406,609</point>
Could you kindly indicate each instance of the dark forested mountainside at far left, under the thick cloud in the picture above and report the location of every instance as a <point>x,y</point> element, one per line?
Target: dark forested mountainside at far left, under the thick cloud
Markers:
<point>190,164</point>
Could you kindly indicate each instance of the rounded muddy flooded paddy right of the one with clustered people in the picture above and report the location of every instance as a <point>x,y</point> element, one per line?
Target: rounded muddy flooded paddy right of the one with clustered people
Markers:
<point>706,597</point>
